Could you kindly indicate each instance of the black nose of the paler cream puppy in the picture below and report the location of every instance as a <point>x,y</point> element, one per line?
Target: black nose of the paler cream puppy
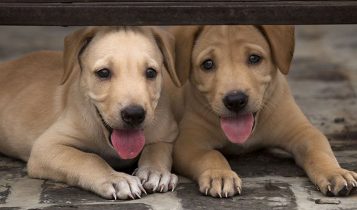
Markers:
<point>133,115</point>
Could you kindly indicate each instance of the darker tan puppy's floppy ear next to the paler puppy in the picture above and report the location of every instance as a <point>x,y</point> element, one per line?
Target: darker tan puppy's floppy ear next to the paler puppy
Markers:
<point>185,37</point>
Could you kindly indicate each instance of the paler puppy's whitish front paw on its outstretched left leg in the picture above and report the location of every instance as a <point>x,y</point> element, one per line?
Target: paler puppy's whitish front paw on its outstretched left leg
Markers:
<point>120,186</point>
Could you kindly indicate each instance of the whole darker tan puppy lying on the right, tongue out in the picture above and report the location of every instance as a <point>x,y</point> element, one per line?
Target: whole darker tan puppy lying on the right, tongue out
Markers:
<point>237,99</point>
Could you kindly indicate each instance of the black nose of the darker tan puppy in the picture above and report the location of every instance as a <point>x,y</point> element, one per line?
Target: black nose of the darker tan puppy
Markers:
<point>235,101</point>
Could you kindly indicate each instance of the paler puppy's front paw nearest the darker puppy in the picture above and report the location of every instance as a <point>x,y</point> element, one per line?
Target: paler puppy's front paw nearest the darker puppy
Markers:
<point>155,180</point>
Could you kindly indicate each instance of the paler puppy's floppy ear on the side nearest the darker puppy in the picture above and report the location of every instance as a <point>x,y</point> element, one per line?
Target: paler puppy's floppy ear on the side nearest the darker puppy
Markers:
<point>166,44</point>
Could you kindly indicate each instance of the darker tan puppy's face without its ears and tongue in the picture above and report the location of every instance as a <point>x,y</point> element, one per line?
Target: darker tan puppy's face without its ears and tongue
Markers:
<point>231,67</point>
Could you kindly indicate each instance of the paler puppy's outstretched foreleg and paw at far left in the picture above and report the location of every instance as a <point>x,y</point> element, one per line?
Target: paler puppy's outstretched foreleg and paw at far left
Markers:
<point>87,170</point>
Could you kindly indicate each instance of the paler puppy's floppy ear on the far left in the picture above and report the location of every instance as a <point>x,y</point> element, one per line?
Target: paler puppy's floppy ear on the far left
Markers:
<point>74,44</point>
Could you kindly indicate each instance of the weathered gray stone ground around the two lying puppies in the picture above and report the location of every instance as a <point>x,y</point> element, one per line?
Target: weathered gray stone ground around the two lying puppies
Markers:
<point>324,81</point>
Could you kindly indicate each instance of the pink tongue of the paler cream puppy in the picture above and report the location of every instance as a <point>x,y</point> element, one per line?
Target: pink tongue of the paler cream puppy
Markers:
<point>128,143</point>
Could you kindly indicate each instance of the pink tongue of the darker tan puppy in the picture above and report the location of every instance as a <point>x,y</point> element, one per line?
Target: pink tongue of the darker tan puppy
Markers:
<point>239,128</point>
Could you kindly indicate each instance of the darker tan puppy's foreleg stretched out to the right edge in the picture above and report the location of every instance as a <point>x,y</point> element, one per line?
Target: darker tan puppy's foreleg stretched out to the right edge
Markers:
<point>310,149</point>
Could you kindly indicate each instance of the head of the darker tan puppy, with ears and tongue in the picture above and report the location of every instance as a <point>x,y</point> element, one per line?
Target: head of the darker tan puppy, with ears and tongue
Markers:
<point>232,67</point>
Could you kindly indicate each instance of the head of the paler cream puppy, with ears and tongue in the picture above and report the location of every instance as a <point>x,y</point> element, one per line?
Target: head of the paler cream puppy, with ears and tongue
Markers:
<point>121,75</point>
